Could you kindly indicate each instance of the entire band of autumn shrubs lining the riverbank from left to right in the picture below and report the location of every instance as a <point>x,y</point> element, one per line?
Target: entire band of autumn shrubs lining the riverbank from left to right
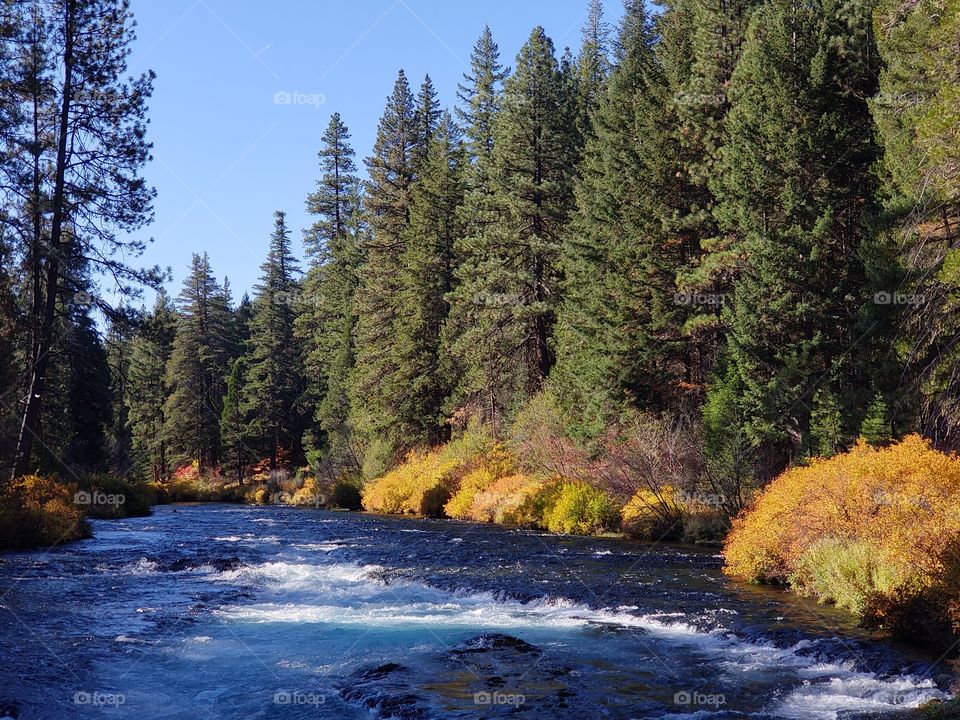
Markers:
<point>875,531</point>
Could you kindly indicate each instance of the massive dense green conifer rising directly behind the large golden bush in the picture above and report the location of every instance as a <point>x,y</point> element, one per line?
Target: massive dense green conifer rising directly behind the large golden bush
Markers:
<point>798,190</point>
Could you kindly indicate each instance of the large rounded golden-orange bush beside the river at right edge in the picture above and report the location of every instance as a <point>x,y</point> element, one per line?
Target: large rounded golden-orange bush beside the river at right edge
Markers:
<point>874,530</point>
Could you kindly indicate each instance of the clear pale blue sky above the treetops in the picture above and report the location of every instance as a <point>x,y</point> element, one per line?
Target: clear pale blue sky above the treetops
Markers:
<point>226,155</point>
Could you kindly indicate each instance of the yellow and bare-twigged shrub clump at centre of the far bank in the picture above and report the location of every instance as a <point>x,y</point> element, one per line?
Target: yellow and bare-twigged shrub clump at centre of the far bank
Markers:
<point>643,481</point>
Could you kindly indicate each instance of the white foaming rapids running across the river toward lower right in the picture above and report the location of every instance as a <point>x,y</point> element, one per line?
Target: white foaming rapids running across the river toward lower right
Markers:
<point>342,594</point>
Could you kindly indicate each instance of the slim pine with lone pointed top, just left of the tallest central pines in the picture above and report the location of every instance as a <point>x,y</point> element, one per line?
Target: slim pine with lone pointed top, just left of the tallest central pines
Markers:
<point>325,322</point>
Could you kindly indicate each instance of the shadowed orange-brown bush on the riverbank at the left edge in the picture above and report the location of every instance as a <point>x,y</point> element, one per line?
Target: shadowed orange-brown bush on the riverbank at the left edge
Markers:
<point>37,511</point>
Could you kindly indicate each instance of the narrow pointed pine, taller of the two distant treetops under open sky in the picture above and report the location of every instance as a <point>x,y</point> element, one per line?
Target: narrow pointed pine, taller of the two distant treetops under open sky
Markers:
<point>274,374</point>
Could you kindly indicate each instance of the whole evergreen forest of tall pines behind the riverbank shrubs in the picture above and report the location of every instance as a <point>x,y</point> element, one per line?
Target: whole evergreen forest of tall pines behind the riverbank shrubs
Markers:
<point>739,219</point>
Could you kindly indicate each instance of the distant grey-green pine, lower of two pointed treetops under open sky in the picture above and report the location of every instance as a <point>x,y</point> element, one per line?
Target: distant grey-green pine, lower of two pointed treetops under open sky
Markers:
<point>196,370</point>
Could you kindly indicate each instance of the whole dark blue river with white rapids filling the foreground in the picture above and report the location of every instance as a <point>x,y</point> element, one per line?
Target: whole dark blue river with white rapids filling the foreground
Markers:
<point>243,612</point>
